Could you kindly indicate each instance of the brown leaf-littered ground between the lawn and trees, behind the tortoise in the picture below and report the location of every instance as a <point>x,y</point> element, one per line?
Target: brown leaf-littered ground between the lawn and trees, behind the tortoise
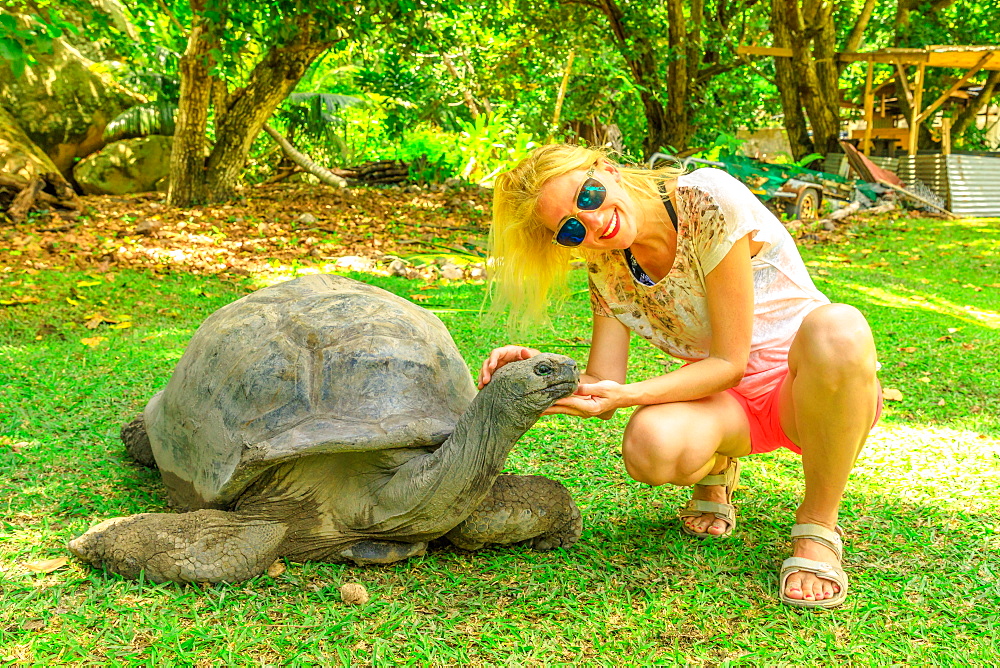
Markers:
<point>271,226</point>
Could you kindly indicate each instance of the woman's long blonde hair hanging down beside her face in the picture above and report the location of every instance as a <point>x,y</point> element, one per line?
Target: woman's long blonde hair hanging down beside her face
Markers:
<point>526,269</point>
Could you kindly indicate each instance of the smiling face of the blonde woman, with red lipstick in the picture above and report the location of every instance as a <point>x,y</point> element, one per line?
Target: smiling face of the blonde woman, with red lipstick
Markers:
<point>614,224</point>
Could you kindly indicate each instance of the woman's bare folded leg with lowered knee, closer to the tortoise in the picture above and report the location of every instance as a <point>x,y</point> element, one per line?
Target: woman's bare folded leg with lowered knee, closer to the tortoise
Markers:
<point>681,443</point>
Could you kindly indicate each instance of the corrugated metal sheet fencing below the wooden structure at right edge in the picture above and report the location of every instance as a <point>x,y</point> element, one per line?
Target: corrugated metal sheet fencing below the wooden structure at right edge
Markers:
<point>970,184</point>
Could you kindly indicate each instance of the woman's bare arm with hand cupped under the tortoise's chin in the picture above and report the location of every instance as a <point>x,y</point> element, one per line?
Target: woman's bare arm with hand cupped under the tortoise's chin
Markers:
<point>730,311</point>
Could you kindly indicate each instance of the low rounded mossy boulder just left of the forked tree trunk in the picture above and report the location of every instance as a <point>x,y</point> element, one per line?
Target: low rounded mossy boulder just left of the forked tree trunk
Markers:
<point>127,166</point>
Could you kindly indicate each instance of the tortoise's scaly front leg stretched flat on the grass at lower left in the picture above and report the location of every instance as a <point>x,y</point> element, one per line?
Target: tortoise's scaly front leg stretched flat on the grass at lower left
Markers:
<point>200,546</point>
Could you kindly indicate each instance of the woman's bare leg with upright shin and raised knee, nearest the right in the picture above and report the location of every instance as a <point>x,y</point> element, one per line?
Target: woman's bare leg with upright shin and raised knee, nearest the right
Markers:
<point>827,406</point>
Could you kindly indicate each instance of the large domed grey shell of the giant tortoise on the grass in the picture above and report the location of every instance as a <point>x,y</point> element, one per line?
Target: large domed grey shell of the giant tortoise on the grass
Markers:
<point>319,364</point>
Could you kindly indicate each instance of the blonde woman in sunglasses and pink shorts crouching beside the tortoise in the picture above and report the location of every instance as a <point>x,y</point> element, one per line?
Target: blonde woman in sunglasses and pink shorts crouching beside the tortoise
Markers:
<point>695,264</point>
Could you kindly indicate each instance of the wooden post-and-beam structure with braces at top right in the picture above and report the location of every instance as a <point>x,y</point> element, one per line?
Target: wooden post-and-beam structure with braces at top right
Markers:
<point>972,59</point>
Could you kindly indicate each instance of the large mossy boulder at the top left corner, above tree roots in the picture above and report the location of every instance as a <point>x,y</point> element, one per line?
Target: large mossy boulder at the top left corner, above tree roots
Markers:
<point>62,102</point>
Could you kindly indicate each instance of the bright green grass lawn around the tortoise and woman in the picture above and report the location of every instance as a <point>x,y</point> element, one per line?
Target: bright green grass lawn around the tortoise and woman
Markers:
<point>922,511</point>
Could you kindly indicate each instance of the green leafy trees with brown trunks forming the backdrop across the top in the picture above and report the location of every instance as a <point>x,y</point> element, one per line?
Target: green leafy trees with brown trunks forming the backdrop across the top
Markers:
<point>466,87</point>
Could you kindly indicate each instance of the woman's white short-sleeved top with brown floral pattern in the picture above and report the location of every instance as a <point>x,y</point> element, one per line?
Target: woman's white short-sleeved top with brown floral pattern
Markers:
<point>714,211</point>
